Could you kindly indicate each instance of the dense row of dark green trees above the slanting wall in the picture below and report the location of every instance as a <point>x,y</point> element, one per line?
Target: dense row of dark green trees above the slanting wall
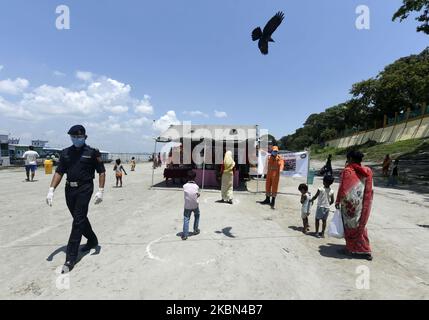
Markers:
<point>400,86</point>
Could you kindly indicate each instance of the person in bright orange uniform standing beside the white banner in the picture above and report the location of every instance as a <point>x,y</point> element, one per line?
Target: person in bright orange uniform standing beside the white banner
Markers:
<point>274,168</point>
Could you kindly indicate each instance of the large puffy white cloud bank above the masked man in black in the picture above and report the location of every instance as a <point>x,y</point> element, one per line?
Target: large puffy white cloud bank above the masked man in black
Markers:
<point>104,105</point>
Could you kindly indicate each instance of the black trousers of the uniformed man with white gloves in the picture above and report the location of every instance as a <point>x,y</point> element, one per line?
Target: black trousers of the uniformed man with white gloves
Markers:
<point>77,200</point>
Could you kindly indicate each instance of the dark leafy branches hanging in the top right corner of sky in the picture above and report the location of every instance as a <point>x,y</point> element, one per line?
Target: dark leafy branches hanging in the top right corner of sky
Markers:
<point>419,6</point>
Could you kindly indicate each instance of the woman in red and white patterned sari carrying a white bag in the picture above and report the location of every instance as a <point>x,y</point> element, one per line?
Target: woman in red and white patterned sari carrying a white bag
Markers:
<point>354,199</point>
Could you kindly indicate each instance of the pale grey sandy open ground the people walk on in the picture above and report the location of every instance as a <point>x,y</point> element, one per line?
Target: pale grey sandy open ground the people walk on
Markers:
<point>245,251</point>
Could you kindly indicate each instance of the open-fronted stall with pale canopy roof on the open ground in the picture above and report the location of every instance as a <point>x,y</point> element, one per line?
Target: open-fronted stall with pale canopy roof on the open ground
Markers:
<point>210,142</point>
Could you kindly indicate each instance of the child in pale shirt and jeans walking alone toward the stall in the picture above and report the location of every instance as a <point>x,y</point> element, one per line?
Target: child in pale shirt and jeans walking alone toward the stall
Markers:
<point>191,192</point>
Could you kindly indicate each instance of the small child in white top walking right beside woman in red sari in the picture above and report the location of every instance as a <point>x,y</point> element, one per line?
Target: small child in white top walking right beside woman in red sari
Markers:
<point>326,199</point>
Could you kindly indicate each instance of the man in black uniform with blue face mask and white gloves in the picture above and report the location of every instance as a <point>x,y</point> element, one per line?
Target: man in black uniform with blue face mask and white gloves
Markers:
<point>79,162</point>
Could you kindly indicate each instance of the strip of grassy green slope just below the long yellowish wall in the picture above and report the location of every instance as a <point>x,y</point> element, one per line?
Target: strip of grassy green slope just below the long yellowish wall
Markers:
<point>373,151</point>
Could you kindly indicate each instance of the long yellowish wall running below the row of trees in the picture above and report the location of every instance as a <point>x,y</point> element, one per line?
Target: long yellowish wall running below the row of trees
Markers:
<point>414,129</point>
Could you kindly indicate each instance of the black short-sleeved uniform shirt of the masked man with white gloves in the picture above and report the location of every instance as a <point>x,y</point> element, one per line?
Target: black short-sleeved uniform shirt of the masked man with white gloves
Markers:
<point>80,164</point>
